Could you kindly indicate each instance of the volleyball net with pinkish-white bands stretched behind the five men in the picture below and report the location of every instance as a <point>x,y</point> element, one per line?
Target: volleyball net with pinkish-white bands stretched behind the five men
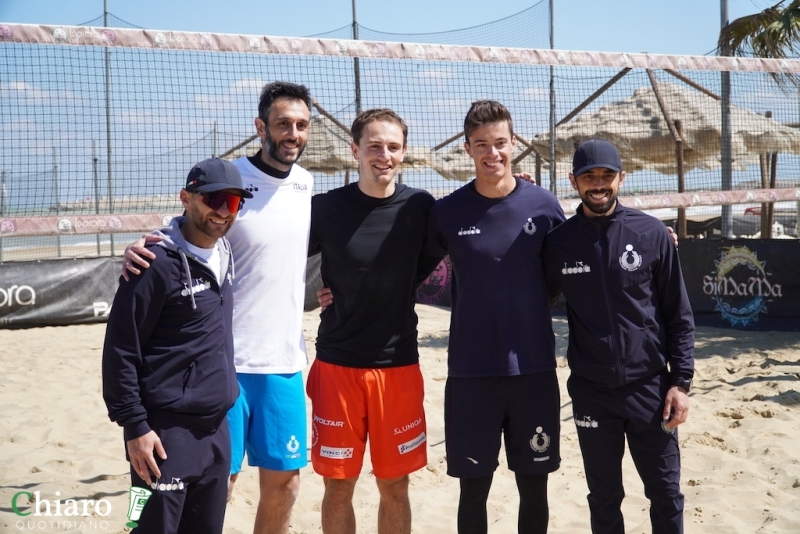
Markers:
<point>101,125</point>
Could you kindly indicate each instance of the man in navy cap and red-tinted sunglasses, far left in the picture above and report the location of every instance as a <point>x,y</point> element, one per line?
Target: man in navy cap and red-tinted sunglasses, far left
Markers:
<point>168,373</point>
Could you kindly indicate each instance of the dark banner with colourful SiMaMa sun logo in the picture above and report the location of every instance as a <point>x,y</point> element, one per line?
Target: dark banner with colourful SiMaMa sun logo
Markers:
<point>747,284</point>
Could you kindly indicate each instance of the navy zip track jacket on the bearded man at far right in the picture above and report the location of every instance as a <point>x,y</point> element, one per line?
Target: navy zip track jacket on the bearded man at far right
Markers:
<point>628,310</point>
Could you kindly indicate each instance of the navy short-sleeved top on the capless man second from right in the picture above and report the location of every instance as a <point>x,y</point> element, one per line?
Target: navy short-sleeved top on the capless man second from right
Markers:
<point>500,323</point>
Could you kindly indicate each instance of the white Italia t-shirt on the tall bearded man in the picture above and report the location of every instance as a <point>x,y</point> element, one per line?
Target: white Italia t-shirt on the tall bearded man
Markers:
<point>270,247</point>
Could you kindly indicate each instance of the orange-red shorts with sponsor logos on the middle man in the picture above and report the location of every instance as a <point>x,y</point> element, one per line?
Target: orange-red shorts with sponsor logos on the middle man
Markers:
<point>349,403</point>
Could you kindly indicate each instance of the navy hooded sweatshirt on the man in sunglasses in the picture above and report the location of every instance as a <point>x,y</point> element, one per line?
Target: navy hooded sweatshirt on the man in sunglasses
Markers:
<point>169,344</point>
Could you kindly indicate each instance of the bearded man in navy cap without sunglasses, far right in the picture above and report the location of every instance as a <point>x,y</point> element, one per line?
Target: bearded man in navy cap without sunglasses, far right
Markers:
<point>631,341</point>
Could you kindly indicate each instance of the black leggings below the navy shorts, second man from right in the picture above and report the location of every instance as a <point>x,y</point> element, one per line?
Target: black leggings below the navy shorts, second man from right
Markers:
<point>533,509</point>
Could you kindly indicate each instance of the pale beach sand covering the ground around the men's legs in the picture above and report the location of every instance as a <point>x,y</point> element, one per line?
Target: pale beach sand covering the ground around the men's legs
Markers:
<point>741,445</point>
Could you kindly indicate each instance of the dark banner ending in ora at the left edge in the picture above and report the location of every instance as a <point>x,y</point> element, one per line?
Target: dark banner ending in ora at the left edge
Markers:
<point>57,292</point>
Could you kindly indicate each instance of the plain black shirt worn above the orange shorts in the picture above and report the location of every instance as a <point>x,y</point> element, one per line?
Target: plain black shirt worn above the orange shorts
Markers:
<point>372,262</point>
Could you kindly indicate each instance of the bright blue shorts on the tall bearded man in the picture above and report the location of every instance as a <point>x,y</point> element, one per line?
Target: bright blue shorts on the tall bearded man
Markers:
<point>269,422</point>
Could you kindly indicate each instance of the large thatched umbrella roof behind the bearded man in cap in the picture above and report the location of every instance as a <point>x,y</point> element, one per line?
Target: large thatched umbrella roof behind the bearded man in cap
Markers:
<point>637,127</point>
